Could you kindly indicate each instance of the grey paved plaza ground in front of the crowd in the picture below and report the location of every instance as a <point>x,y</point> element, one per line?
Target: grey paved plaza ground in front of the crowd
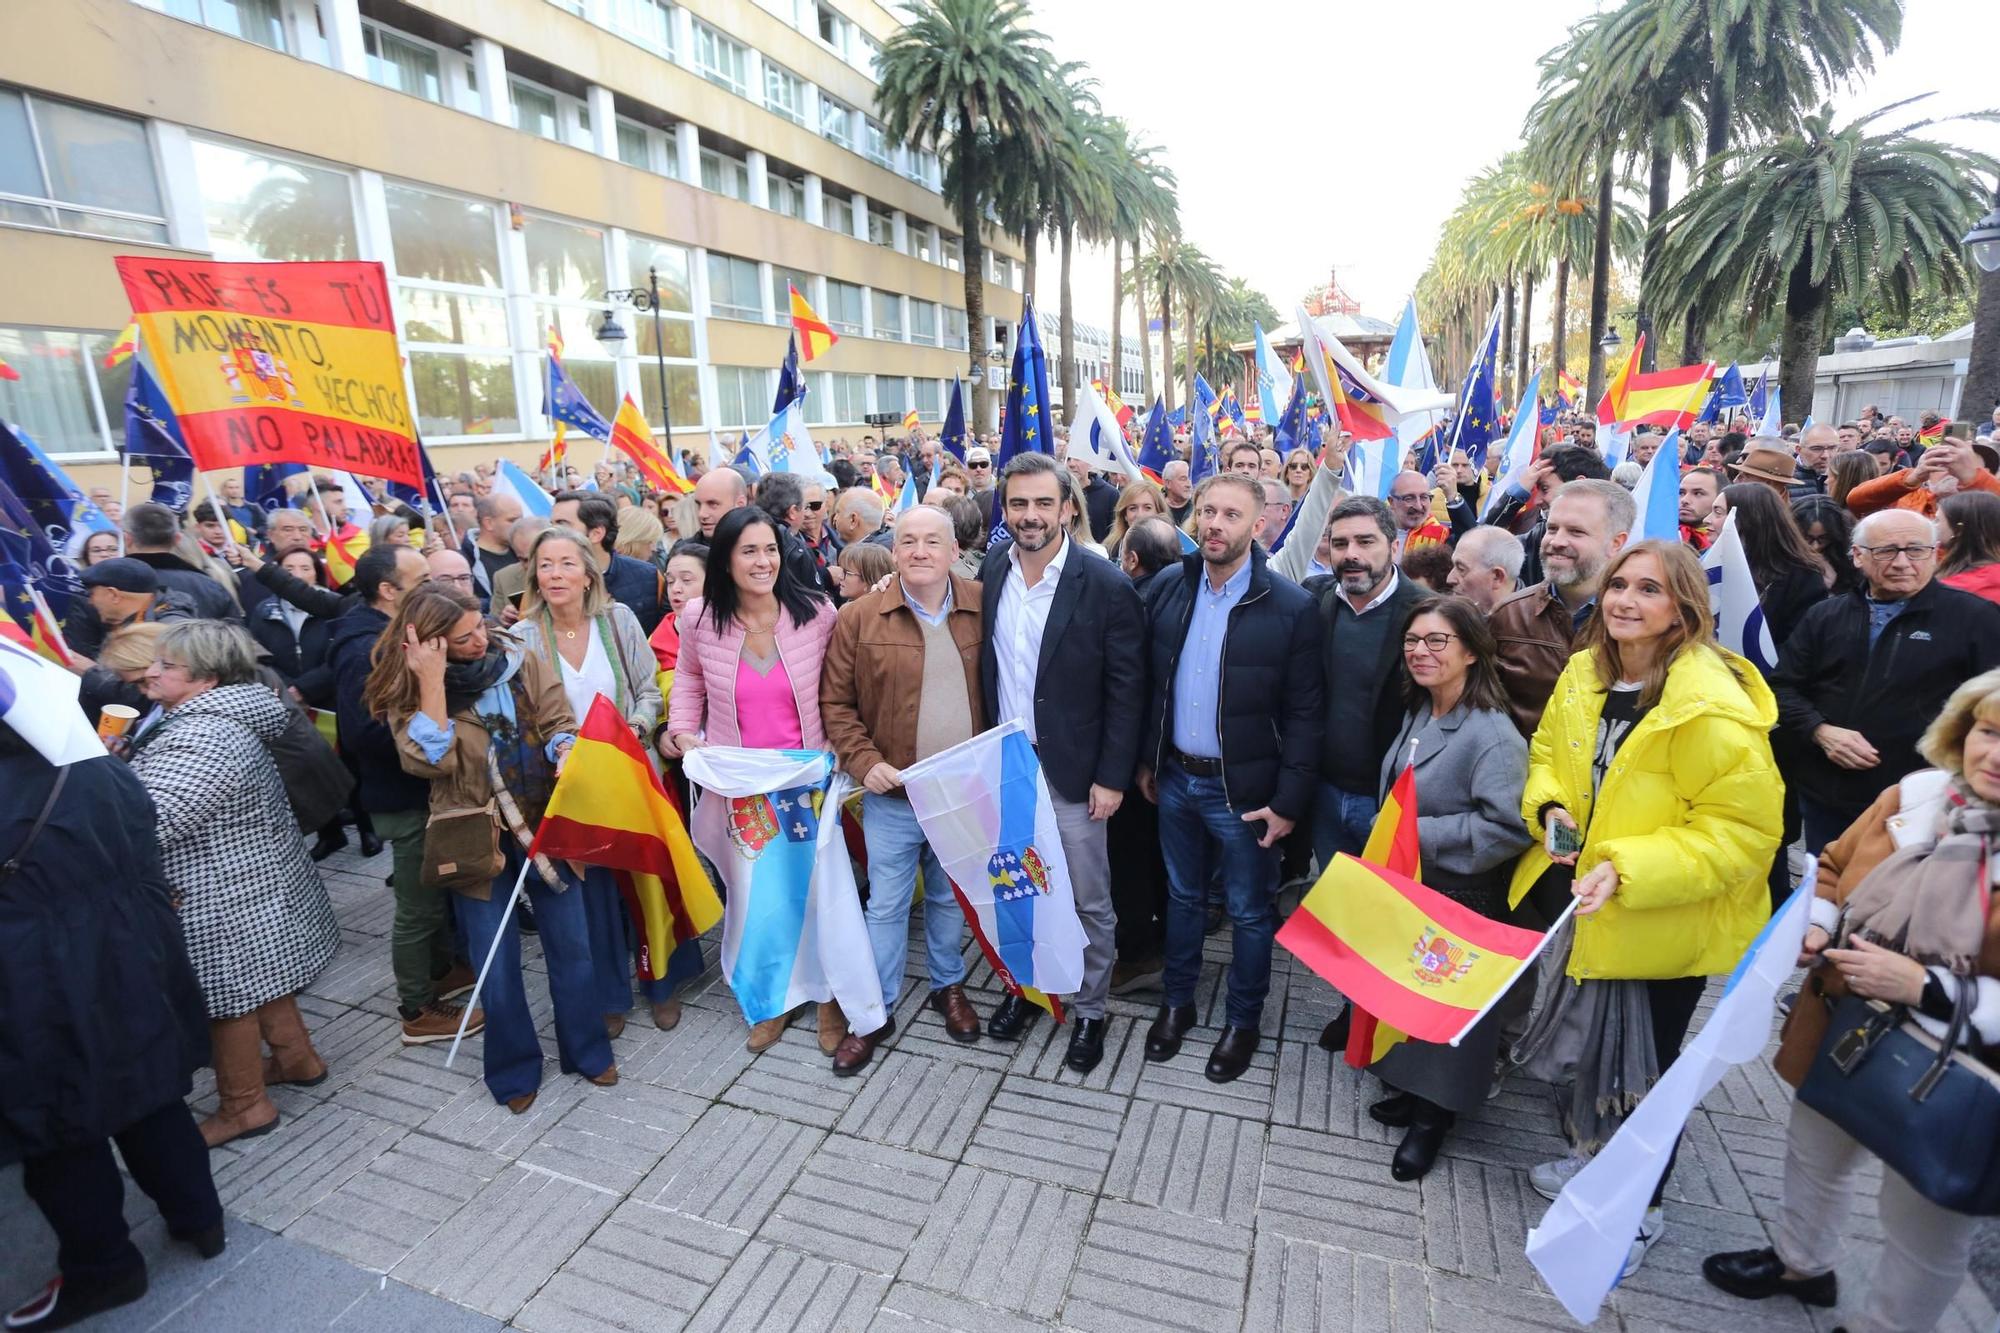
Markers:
<point>949,1188</point>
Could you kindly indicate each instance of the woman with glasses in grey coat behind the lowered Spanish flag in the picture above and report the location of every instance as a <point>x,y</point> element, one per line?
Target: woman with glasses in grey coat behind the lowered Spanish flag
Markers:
<point>1471,770</point>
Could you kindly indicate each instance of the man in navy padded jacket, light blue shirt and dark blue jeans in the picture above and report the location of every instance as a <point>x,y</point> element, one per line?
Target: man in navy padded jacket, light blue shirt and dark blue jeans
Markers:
<point>1231,740</point>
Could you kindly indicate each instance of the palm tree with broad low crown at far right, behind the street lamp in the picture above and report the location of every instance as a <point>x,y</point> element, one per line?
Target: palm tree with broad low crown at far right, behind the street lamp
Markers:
<point>1823,217</point>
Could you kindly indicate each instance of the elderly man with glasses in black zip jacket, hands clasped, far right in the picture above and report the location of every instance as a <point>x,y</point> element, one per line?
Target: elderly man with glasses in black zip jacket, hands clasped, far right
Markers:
<point>1865,674</point>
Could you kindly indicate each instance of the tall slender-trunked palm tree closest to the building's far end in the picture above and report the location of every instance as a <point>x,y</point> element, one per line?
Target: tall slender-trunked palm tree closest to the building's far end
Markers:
<point>961,75</point>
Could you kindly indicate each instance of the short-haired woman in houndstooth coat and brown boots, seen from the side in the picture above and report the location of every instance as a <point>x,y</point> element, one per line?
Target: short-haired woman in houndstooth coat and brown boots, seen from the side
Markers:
<point>251,902</point>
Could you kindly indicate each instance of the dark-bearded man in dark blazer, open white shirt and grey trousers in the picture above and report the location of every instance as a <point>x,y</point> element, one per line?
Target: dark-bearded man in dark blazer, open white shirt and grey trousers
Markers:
<point>1063,653</point>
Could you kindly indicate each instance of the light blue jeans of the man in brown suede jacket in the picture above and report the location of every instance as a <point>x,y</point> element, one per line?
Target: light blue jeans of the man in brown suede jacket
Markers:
<point>897,850</point>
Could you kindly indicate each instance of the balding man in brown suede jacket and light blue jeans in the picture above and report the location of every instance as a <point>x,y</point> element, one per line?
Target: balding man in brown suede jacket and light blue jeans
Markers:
<point>917,639</point>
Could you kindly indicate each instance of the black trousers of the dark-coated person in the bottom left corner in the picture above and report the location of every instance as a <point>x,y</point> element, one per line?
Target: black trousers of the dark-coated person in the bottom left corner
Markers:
<point>83,1198</point>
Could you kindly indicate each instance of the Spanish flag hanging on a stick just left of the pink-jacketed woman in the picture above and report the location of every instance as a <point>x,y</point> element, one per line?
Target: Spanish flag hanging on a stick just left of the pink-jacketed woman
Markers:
<point>611,810</point>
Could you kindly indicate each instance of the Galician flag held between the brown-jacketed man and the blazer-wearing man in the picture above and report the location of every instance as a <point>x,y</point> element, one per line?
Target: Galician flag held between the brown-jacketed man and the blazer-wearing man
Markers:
<point>989,818</point>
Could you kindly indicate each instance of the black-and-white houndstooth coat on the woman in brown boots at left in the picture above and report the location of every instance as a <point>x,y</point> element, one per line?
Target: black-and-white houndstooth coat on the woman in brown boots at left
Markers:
<point>253,906</point>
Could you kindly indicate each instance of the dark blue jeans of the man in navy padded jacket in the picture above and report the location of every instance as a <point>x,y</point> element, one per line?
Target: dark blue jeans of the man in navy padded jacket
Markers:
<point>1199,832</point>
